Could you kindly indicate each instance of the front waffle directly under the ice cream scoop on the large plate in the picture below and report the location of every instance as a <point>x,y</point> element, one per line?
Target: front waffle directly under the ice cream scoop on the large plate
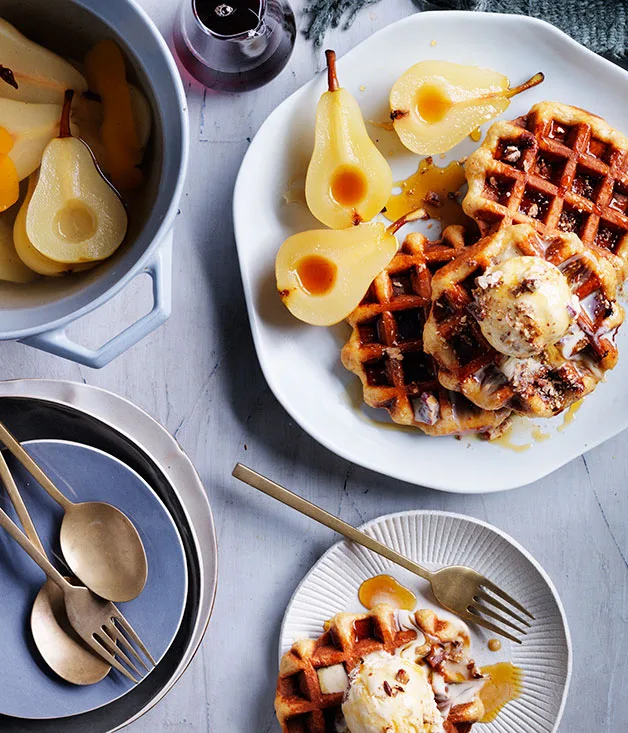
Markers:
<point>539,386</point>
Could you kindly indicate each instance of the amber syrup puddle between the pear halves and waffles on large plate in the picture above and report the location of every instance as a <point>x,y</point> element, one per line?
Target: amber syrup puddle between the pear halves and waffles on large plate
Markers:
<point>428,180</point>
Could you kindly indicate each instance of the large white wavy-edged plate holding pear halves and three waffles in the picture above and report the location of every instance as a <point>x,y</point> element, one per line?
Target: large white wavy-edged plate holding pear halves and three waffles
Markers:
<point>302,363</point>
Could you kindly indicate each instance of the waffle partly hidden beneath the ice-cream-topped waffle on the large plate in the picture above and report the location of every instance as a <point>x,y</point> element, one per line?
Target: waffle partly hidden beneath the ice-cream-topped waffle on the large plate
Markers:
<point>386,346</point>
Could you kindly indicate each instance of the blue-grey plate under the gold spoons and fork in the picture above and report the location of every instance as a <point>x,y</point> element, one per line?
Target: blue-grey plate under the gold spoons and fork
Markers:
<point>29,688</point>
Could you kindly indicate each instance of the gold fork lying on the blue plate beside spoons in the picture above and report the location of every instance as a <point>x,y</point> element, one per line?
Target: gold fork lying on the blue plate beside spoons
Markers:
<point>95,620</point>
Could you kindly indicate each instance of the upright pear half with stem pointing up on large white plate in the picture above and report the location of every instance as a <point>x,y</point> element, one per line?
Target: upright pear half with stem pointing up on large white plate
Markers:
<point>348,180</point>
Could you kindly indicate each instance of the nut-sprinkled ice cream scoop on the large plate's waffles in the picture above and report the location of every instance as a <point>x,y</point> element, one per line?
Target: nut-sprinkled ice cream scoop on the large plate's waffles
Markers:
<point>524,305</point>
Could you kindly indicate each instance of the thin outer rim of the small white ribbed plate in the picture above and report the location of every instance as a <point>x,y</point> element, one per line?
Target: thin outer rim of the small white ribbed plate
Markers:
<point>479,522</point>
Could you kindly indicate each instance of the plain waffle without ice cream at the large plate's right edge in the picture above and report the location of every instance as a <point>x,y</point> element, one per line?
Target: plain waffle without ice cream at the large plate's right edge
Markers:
<point>558,168</point>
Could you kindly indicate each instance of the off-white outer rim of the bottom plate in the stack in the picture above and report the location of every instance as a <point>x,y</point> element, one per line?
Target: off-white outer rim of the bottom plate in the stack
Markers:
<point>118,413</point>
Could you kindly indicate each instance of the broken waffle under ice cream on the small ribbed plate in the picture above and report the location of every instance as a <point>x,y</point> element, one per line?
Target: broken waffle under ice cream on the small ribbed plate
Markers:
<point>302,707</point>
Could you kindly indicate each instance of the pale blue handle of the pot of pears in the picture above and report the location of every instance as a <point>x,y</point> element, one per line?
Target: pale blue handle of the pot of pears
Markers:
<point>57,341</point>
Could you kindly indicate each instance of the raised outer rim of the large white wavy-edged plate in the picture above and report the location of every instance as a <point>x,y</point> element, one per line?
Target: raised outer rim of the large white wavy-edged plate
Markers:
<point>493,483</point>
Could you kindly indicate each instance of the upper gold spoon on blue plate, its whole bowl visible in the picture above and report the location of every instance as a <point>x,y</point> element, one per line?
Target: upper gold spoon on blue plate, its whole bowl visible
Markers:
<point>99,543</point>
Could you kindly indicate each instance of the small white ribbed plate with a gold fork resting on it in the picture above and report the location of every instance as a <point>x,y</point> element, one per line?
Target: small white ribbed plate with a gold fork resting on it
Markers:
<point>436,539</point>
